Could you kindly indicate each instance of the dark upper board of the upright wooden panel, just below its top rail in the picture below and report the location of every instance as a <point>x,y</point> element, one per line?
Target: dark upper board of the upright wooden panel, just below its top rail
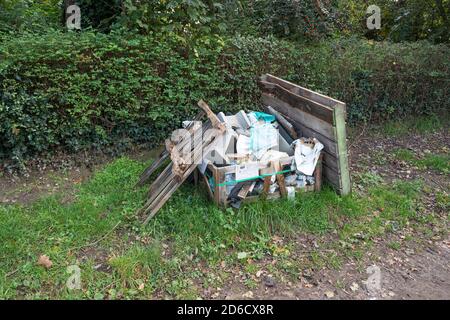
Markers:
<point>316,109</point>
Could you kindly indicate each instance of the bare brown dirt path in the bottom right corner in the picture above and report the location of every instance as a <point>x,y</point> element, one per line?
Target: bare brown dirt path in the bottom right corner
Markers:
<point>415,275</point>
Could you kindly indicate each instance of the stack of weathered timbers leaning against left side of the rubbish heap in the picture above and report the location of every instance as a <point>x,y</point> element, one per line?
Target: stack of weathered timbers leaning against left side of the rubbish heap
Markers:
<point>185,152</point>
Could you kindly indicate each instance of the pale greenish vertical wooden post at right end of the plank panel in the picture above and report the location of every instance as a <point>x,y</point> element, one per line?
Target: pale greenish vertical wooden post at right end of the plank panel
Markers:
<point>341,135</point>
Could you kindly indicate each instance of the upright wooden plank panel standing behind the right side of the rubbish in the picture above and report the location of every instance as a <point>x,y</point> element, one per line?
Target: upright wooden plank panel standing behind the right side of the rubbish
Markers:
<point>313,115</point>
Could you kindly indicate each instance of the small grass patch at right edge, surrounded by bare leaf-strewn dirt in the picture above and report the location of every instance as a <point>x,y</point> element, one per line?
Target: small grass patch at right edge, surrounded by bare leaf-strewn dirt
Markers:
<point>438,162</point>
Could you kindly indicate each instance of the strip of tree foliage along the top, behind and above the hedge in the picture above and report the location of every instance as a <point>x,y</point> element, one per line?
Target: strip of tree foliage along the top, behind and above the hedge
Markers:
<point>191,20</point>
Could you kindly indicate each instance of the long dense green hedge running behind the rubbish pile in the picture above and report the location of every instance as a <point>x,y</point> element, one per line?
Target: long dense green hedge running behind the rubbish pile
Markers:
<point>73,91</point>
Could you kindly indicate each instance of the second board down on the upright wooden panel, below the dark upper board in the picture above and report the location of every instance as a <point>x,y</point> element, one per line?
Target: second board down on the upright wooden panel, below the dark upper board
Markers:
<point>316,124</point>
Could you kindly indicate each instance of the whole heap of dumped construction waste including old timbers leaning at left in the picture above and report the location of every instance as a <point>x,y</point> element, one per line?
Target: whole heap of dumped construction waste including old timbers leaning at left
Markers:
<point>259,153</point>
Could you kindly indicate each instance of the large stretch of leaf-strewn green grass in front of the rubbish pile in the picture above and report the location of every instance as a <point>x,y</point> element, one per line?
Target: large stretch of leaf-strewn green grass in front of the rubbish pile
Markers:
<point>120,258</point>
